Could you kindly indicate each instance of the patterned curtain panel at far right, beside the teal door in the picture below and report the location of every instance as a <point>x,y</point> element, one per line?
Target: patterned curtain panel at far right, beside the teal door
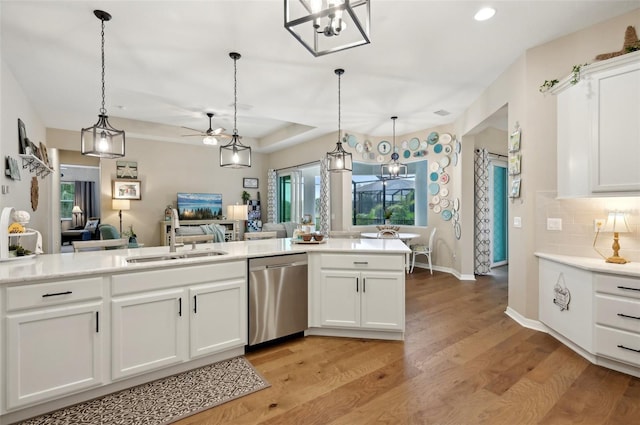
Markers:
<point>482,211</point>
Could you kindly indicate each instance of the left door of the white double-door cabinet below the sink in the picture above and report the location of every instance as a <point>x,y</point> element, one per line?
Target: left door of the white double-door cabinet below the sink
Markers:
<point>149,331</point>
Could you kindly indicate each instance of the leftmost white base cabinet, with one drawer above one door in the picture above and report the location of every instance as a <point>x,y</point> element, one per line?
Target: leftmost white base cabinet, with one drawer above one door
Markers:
<point>54,340</point>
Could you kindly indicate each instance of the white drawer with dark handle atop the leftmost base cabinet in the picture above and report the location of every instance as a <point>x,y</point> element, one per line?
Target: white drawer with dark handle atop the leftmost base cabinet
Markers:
<point>53,293</point>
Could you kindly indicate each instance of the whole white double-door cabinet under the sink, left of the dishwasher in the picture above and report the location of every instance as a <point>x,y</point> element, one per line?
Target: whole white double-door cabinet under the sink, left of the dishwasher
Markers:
<point>164,317</point>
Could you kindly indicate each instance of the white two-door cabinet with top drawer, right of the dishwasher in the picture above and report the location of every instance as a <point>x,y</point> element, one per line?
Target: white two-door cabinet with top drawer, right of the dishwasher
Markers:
<point>358,292</point>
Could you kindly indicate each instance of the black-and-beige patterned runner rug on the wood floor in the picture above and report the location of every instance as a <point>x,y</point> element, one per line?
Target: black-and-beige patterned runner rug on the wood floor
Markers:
<point>165,400</point>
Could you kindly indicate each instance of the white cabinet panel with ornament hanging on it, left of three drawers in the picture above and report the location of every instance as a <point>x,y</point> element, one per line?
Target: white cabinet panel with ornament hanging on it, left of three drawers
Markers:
<point>575,322</point>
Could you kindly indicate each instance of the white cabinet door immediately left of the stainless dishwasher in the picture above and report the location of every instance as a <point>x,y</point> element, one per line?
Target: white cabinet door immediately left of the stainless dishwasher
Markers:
<point>218,317</point>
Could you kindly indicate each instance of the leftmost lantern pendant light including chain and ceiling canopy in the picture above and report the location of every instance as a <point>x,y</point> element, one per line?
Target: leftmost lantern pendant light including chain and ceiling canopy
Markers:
<point>102,139</point>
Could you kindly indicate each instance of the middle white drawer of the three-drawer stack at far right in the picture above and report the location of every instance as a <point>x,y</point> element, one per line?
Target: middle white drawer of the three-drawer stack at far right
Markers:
<point>622,313</point>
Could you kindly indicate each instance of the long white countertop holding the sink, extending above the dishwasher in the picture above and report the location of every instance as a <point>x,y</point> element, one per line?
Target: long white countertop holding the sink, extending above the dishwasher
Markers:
<point>76,264</point>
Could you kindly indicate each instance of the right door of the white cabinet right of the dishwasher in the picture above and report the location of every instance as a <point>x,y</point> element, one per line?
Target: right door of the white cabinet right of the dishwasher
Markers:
<point>382,302</point>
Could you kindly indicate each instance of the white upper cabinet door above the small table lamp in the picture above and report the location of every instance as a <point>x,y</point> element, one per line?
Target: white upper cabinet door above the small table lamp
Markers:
<point>616,129</point>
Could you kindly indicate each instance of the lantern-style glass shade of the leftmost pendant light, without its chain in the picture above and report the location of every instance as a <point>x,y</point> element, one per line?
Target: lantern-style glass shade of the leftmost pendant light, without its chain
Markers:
<point>102,140</point>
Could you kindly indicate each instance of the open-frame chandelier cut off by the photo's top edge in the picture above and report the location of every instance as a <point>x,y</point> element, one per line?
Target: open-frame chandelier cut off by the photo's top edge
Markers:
<point>328,26</point>
